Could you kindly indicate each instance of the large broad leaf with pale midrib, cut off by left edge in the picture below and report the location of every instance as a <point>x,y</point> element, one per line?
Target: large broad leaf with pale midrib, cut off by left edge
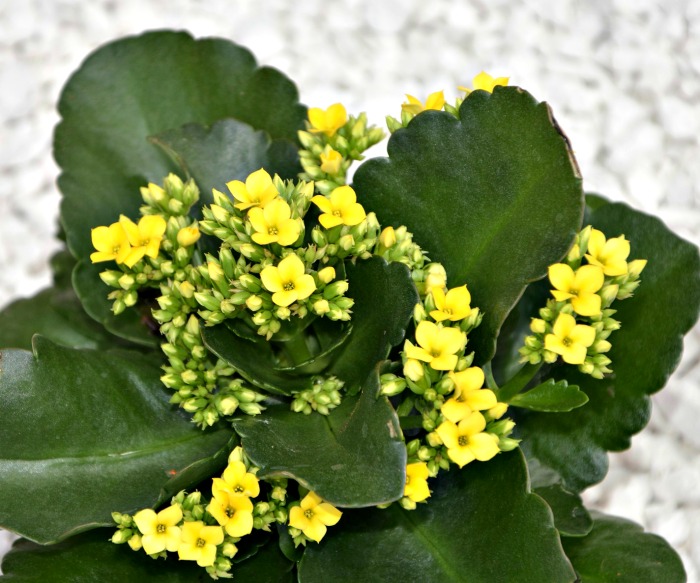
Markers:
<point>86,433</point>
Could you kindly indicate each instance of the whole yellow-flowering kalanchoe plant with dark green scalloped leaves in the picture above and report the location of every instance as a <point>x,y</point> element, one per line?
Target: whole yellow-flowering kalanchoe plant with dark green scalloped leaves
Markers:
<point>250,368</point>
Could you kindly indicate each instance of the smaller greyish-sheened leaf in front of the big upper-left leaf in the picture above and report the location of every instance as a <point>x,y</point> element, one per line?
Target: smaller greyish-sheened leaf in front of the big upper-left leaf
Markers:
<point>229,150</point>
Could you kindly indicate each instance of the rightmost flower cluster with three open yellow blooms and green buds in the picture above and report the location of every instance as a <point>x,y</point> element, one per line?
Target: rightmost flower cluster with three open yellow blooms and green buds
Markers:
<point>576,323</point>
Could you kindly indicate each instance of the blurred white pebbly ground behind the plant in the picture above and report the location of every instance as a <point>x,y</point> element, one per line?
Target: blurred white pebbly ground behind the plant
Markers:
<point>623,78</point>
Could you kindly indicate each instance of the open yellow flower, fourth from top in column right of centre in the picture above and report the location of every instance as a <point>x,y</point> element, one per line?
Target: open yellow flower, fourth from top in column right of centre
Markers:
<point>466,441</point>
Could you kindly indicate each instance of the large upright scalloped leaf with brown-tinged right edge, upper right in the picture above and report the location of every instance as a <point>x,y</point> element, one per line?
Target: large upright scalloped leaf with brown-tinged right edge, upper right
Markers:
<point>495,196</point>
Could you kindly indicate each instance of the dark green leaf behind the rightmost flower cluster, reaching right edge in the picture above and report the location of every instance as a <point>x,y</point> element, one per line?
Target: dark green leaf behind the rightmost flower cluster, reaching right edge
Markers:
<point>645,351</point>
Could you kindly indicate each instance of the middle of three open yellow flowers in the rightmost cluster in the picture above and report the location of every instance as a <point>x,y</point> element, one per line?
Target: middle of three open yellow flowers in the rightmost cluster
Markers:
<point>580,286</point>
